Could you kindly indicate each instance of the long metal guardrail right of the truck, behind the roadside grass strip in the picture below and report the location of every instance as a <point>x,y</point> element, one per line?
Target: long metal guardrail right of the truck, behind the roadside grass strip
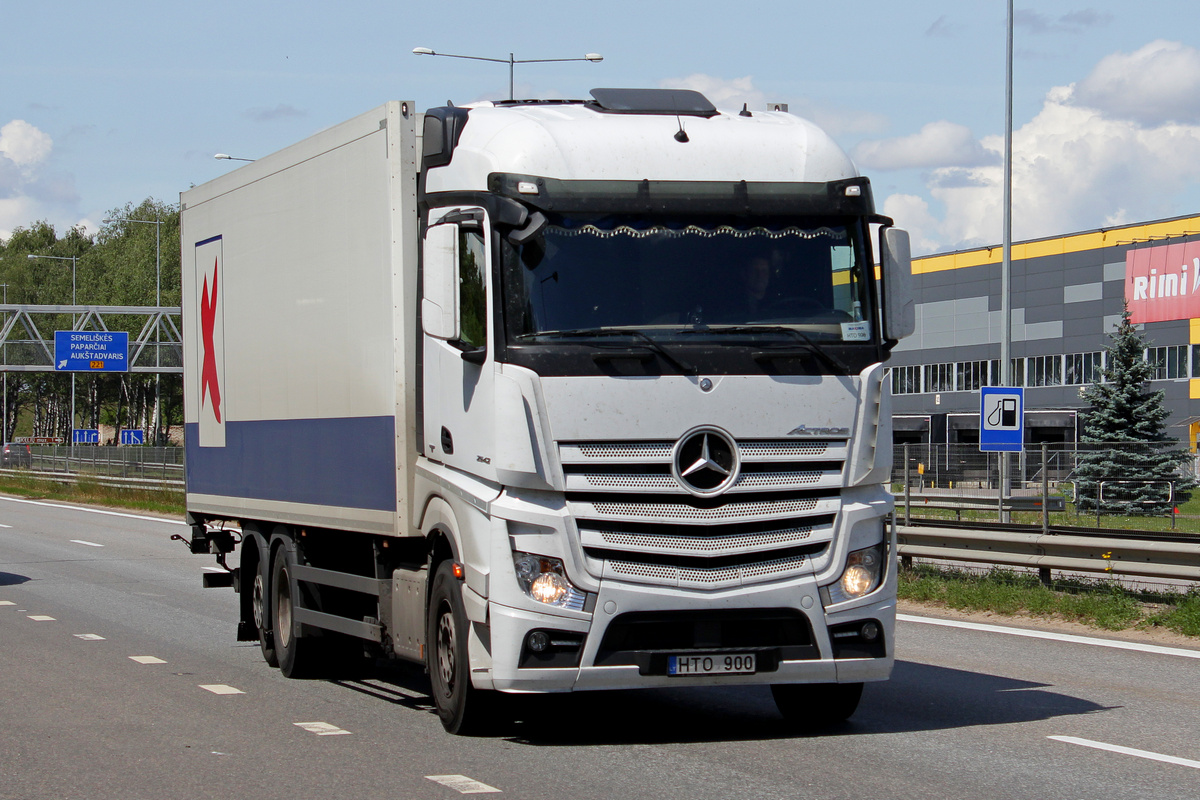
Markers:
<point>1171,561</point>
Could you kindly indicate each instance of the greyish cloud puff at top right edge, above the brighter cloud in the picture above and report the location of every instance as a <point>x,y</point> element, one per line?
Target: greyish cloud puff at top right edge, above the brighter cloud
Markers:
<point>1156,85</point>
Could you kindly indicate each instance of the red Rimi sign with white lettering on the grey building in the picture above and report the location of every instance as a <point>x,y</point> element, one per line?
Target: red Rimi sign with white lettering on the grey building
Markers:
<point>1163,282</point>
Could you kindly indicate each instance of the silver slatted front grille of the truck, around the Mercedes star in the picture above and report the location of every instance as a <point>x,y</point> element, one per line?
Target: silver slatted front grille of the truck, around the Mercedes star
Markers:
<point>638,524</point>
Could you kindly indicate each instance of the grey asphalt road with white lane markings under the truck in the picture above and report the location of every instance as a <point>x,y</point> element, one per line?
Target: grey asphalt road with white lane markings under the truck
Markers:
<point>122,679</point>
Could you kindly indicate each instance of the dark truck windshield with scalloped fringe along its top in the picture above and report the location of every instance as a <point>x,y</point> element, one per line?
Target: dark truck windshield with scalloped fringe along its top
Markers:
<point>728,279</point>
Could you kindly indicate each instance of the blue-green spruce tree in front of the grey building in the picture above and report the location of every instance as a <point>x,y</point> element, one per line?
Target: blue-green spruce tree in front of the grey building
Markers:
<point>1125,436</point>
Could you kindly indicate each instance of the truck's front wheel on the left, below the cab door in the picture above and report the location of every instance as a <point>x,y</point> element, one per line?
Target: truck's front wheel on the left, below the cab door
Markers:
<point>463,708</point>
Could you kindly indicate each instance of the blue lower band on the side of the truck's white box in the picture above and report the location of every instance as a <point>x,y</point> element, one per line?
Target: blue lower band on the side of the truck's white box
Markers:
<point>349,462</point>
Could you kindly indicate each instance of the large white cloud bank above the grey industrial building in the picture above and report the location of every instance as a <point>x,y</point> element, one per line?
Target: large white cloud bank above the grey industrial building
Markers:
<point>1102,153</point>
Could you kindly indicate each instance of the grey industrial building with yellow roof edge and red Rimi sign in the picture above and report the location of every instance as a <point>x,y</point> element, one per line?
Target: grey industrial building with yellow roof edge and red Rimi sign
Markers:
<point>1067,294</point>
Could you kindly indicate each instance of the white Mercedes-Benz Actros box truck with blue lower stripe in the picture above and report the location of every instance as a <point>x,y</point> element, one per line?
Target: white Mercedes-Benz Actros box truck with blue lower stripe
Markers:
<point>551,396</point>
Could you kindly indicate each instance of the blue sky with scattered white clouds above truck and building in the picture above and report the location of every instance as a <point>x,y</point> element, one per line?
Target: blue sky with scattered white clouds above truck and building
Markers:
<point>109,104</point>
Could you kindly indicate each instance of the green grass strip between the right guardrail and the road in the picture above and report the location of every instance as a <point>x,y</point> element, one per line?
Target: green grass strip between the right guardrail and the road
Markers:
<point>1097,603</point>
